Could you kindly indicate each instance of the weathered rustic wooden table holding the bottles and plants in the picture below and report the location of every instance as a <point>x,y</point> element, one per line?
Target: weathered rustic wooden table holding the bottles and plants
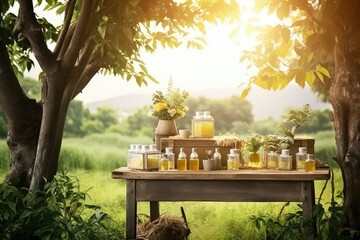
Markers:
<point>245,185</point>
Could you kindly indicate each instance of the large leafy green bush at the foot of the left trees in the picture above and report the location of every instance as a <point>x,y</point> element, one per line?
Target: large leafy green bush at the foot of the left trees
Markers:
<point>57,212</point>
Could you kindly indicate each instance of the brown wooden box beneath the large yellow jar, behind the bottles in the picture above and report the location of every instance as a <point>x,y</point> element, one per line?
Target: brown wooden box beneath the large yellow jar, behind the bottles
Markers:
<point>201,145</point>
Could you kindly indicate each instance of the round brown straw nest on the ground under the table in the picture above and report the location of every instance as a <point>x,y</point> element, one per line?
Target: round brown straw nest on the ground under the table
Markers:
<point>164,228</point>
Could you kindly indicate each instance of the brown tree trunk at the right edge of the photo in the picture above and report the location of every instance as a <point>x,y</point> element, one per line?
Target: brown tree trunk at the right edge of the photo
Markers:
<point>344,96</point>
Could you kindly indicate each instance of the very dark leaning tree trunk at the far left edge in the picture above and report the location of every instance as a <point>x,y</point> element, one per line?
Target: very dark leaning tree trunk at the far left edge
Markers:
<point>23,116</point>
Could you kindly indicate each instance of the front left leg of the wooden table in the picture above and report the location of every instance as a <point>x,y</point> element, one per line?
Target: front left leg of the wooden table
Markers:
<point>131,209</point>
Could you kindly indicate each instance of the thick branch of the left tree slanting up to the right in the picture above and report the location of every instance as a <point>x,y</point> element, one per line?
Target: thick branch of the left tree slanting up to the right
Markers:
<point>81,33</point>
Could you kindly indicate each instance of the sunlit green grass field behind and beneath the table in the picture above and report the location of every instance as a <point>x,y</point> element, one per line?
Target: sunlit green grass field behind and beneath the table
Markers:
<point>92,159</point>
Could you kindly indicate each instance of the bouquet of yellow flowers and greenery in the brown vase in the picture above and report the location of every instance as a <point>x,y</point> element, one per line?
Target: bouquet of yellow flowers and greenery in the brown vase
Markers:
<point>170,105</point>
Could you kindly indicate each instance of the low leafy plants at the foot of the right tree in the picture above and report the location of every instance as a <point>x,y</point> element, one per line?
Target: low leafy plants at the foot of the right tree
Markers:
<point>327,224</point>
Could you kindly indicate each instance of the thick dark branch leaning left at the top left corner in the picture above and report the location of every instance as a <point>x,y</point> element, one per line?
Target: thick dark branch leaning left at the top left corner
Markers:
<point>30,30</point>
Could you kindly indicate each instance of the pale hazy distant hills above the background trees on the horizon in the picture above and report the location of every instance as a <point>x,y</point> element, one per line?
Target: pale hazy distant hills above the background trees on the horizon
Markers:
<point>265,103</point>
